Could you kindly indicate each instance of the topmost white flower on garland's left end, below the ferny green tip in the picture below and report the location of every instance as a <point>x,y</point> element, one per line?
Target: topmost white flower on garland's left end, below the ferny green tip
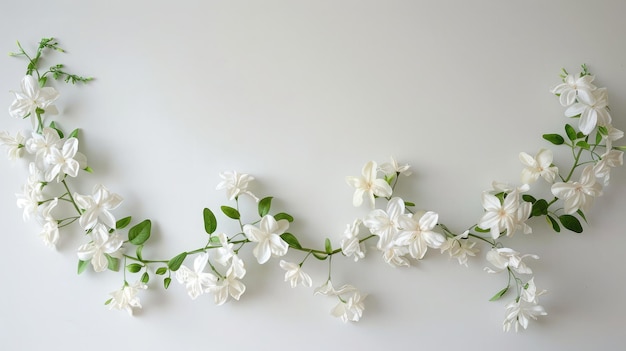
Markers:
<point>31,98</point>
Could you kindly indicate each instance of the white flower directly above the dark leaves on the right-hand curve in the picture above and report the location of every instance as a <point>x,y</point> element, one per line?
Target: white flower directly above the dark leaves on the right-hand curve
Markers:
<point>578,195</point>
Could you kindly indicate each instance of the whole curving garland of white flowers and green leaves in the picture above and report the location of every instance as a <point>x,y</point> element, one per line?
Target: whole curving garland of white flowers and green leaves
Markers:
<point>401,233</point>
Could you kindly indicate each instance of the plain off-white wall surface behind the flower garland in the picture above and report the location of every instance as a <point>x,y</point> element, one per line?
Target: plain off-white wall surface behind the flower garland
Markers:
<point>301,94</point>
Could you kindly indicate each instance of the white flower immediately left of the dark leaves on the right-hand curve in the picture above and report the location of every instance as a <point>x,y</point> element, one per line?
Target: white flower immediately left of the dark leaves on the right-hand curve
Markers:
<point>501,216</point>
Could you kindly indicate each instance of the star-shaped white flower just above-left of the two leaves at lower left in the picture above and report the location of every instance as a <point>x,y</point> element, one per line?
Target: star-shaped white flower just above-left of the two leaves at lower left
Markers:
<point>97,207</point>
